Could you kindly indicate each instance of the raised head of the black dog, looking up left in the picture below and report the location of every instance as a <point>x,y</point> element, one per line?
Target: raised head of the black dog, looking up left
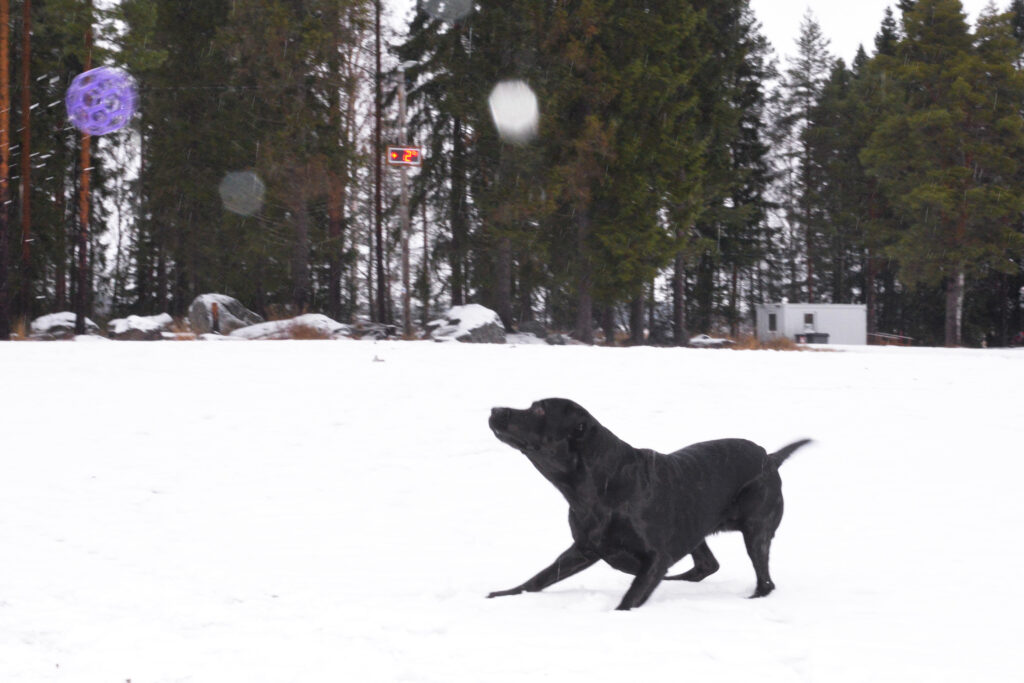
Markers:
<point>551,434</point>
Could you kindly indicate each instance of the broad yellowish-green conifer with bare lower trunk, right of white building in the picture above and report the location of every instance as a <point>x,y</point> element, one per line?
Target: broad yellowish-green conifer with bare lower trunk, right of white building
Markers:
<point>948,154</point>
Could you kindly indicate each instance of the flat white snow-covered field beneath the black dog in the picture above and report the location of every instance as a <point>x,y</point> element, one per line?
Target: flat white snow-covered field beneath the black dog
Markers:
<point>319,513</point>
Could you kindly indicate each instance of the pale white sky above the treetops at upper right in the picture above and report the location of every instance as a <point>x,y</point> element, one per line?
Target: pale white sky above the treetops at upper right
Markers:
<point>846,24</point>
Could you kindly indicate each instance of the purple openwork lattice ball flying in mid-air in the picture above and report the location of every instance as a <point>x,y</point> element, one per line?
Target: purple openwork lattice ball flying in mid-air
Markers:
<point>102,101</point>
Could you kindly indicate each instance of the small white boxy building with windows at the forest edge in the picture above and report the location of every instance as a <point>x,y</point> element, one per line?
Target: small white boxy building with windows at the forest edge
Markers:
<point>843,323</point>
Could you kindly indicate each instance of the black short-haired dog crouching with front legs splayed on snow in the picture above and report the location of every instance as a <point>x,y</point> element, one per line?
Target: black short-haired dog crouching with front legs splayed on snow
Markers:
<point>642,511</point>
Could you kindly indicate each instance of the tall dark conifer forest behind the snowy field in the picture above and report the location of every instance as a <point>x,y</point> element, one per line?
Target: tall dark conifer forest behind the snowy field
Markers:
<point>681,173</point>
